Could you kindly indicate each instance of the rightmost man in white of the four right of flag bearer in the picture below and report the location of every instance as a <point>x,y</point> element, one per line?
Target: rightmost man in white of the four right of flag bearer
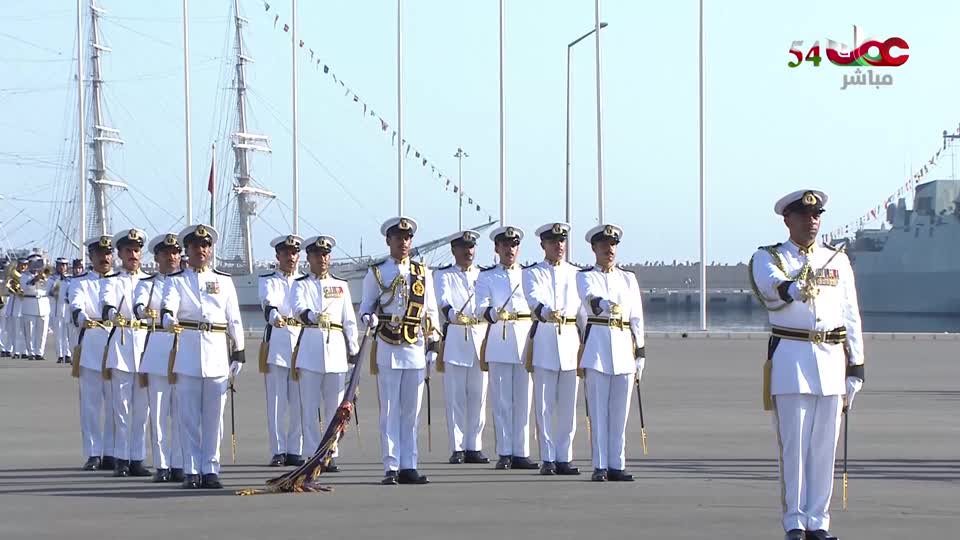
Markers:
<point>613,354</point>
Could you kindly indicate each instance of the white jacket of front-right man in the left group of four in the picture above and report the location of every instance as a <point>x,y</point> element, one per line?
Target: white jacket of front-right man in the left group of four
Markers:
<point>206,297</point>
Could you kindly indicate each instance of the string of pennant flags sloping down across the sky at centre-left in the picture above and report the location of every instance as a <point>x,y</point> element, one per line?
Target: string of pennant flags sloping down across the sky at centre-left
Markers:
<point>410,151</point>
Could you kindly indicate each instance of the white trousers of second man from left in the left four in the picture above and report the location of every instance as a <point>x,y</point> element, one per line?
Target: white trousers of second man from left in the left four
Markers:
<point>130,408</point>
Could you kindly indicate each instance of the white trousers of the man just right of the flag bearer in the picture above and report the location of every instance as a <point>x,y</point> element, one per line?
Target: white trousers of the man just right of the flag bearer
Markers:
<point>465,395</point>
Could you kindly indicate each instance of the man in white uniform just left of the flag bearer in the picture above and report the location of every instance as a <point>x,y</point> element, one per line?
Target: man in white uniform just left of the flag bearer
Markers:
<point>323,304</point>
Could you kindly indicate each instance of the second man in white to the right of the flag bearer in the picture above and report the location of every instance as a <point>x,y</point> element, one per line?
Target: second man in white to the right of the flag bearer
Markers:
<point>501,303</point>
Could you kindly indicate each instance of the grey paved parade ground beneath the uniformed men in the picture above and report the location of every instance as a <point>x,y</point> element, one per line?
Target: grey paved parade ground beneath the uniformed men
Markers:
<point>711,471</point>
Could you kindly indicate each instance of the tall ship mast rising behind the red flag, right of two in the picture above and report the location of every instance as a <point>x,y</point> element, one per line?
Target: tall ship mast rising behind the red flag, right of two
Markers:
<point>236,255</point>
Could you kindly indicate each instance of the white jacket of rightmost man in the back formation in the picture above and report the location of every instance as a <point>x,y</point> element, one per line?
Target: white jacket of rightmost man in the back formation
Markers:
<point>611,349</point>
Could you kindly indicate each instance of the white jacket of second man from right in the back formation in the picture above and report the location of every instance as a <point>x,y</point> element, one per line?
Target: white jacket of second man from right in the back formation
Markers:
<point>553,287</point>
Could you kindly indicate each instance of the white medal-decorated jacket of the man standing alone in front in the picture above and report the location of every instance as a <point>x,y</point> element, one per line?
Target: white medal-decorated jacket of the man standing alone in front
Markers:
<point>805,367</point>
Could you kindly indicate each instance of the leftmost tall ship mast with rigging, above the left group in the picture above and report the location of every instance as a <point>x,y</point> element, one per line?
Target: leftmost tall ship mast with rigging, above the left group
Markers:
<point>103,134</point>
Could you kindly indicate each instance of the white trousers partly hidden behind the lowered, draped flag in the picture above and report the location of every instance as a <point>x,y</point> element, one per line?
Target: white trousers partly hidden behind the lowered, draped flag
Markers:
<point>320,396</point>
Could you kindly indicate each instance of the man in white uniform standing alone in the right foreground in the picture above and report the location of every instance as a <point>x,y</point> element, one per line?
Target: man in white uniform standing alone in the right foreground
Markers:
<point>815,358</point>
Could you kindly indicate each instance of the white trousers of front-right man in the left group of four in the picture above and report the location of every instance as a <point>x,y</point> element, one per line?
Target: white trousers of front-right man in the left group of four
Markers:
<point>201,402</point>
